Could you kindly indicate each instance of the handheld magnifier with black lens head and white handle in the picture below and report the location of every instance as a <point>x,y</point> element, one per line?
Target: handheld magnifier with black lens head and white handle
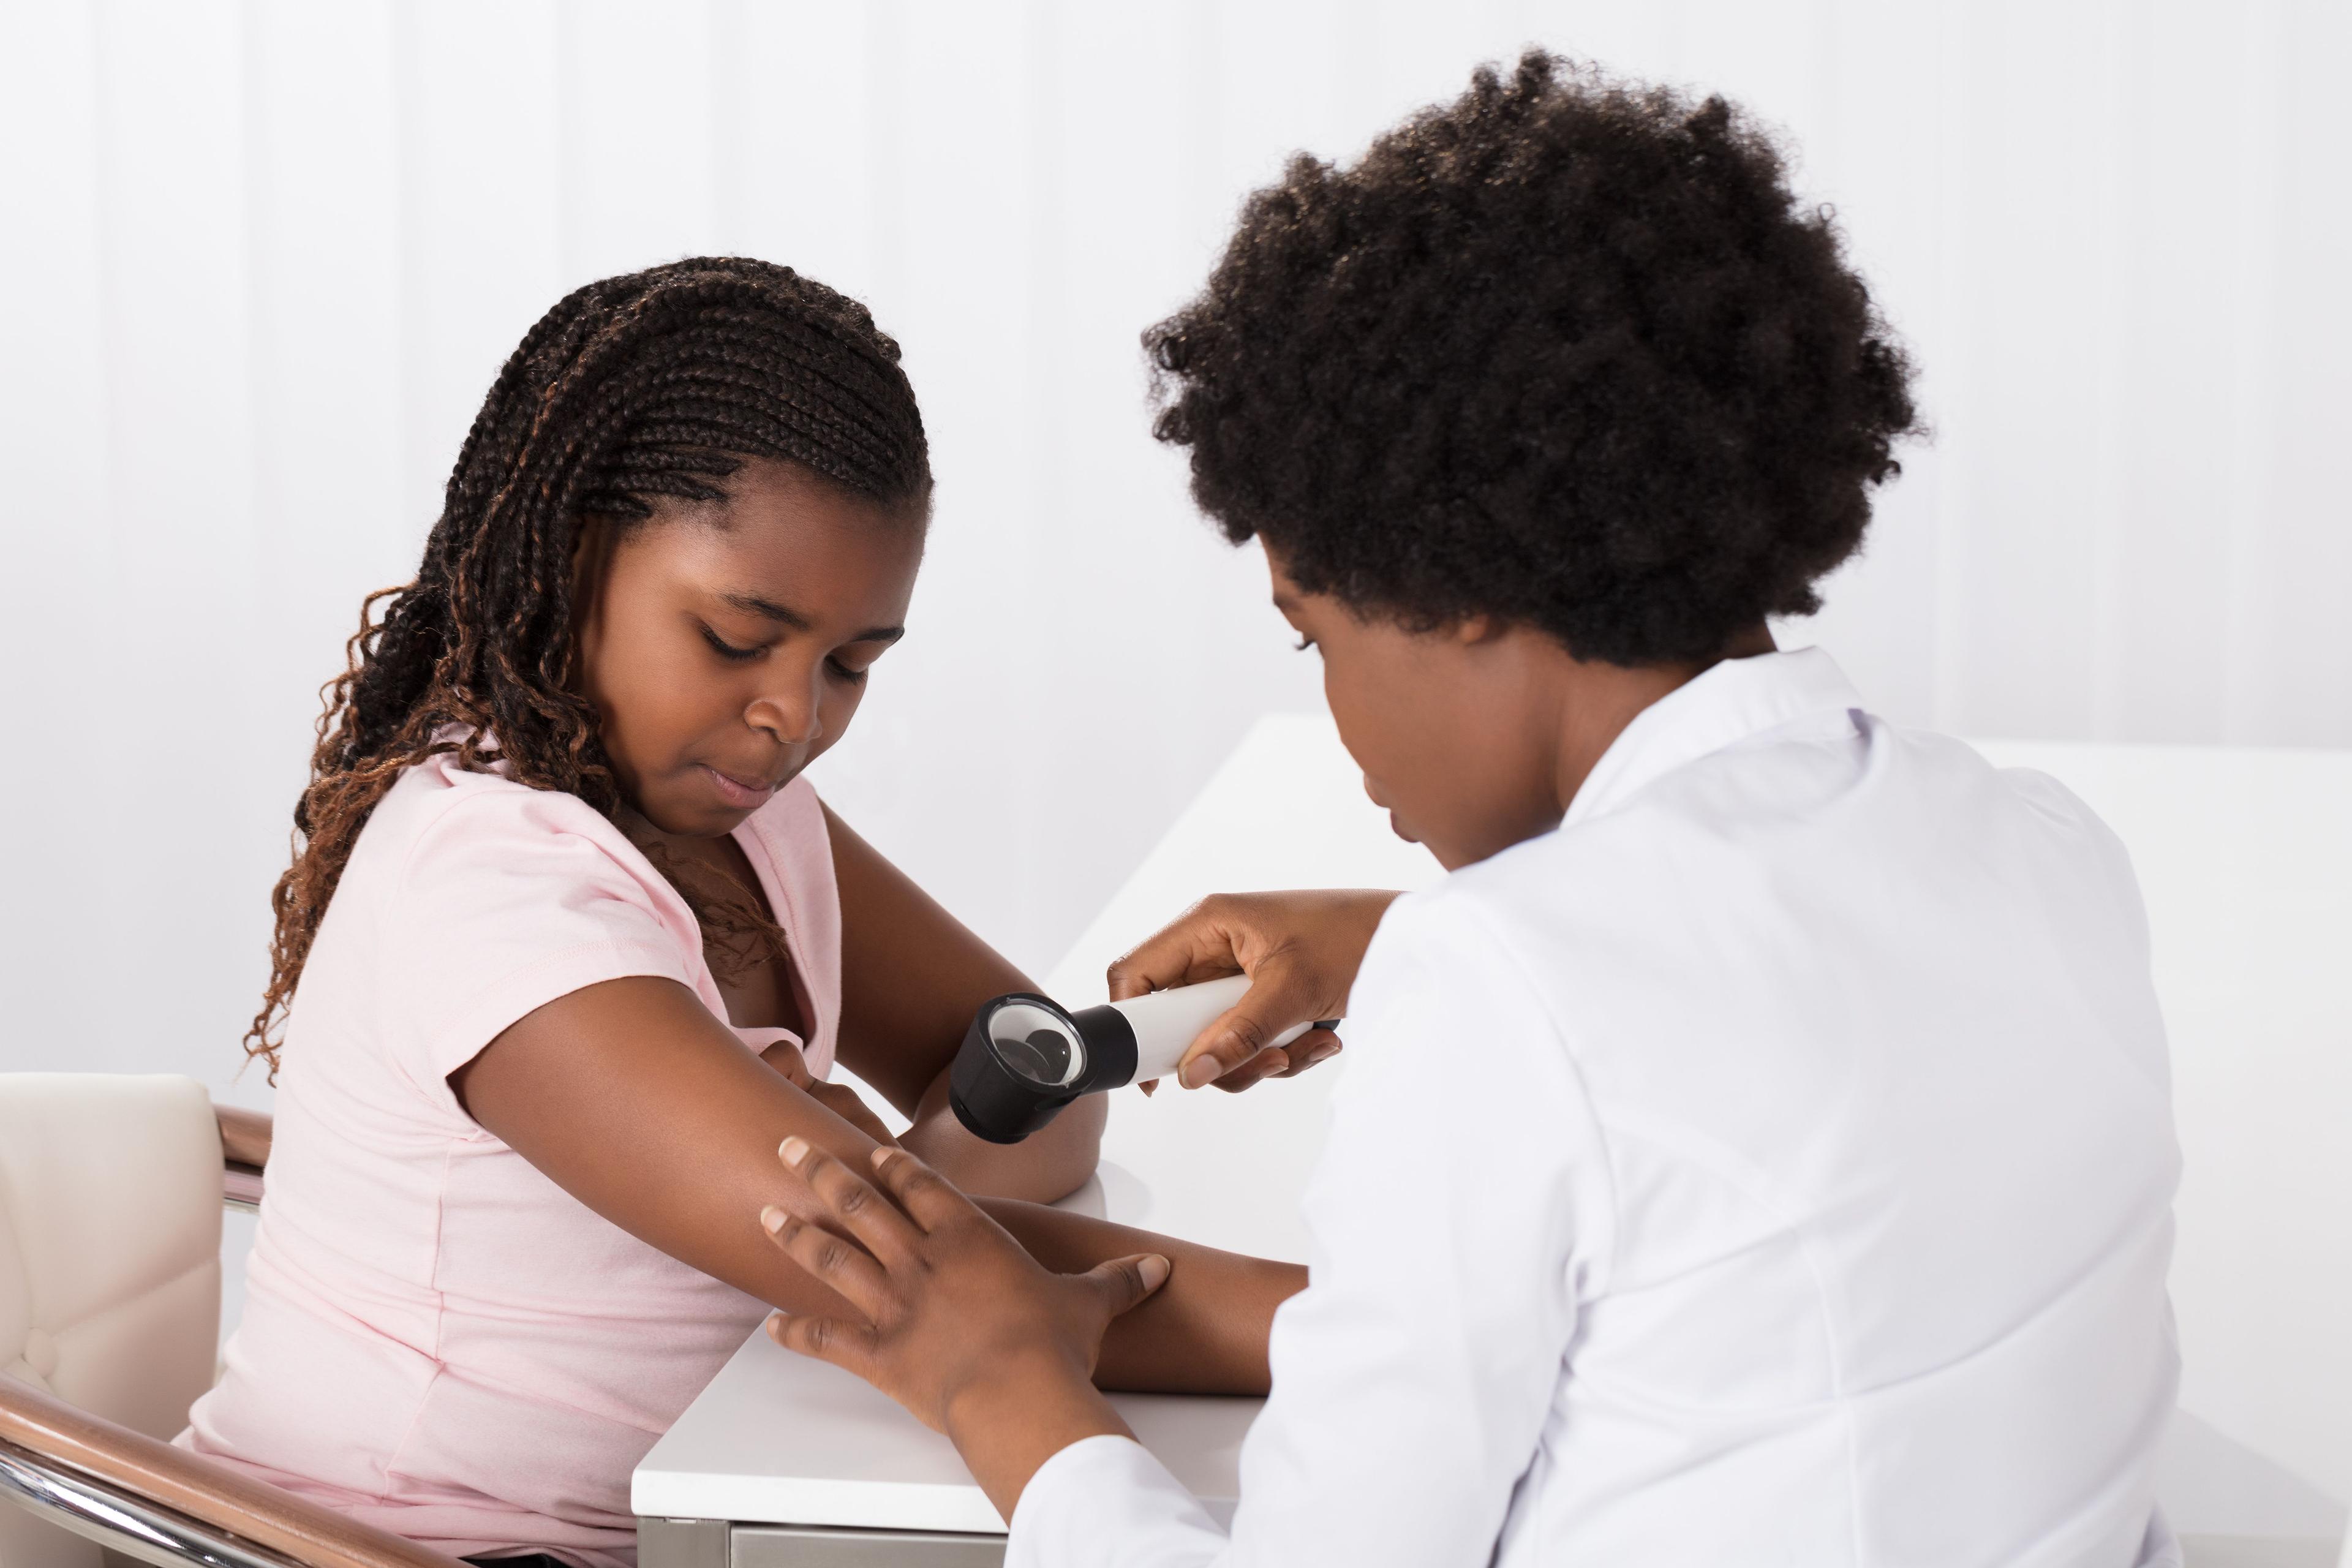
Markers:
<point>1027,1057</point>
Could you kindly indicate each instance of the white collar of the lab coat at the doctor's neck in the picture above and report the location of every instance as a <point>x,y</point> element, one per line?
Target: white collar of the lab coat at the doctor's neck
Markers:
<point>1723,706</point>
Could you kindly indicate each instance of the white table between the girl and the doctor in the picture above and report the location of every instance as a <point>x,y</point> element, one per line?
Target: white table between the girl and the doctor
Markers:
<point>2247,862</point>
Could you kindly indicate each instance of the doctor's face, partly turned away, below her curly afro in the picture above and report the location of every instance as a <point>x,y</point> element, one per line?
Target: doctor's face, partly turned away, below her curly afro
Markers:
<point>1452,728</point>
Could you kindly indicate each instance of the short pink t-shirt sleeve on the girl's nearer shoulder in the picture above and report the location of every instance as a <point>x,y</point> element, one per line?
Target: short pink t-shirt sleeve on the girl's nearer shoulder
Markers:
<point>507,902</point>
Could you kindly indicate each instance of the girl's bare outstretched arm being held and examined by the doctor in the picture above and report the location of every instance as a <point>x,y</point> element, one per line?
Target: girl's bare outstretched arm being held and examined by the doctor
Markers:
<point>646,1108</point>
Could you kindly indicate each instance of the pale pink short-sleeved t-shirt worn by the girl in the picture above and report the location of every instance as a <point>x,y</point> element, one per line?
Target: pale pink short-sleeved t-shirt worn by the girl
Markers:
<point>436,1336</point>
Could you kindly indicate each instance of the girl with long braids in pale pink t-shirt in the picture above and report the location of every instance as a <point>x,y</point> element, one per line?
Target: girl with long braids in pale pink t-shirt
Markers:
<point>570,944</point>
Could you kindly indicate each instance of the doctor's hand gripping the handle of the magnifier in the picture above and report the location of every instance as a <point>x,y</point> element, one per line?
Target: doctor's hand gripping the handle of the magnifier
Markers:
<point>1299,951</point>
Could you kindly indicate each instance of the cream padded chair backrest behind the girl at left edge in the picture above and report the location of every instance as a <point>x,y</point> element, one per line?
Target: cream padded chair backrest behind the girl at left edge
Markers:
<point>109,1259</point>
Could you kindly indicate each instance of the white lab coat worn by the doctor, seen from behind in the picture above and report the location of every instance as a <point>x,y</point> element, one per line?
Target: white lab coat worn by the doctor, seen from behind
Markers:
<point>1772,1165</point>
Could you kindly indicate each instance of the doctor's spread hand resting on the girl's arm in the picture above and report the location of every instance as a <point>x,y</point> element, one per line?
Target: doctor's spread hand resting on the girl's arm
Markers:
<point>954,1318</point>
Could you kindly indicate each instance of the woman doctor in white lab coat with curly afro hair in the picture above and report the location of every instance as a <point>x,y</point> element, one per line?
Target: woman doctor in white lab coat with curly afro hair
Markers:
<point>1758,1148</point>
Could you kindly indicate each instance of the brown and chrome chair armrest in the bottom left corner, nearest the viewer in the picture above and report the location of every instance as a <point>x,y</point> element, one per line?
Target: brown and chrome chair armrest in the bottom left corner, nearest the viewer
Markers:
<point>199,1489</point>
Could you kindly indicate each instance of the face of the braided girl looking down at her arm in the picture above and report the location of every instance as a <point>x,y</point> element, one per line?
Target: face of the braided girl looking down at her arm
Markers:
<point>726,645</point>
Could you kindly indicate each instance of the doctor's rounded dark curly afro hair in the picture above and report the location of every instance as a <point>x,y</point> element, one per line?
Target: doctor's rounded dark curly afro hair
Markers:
<point>1565,351</point>
